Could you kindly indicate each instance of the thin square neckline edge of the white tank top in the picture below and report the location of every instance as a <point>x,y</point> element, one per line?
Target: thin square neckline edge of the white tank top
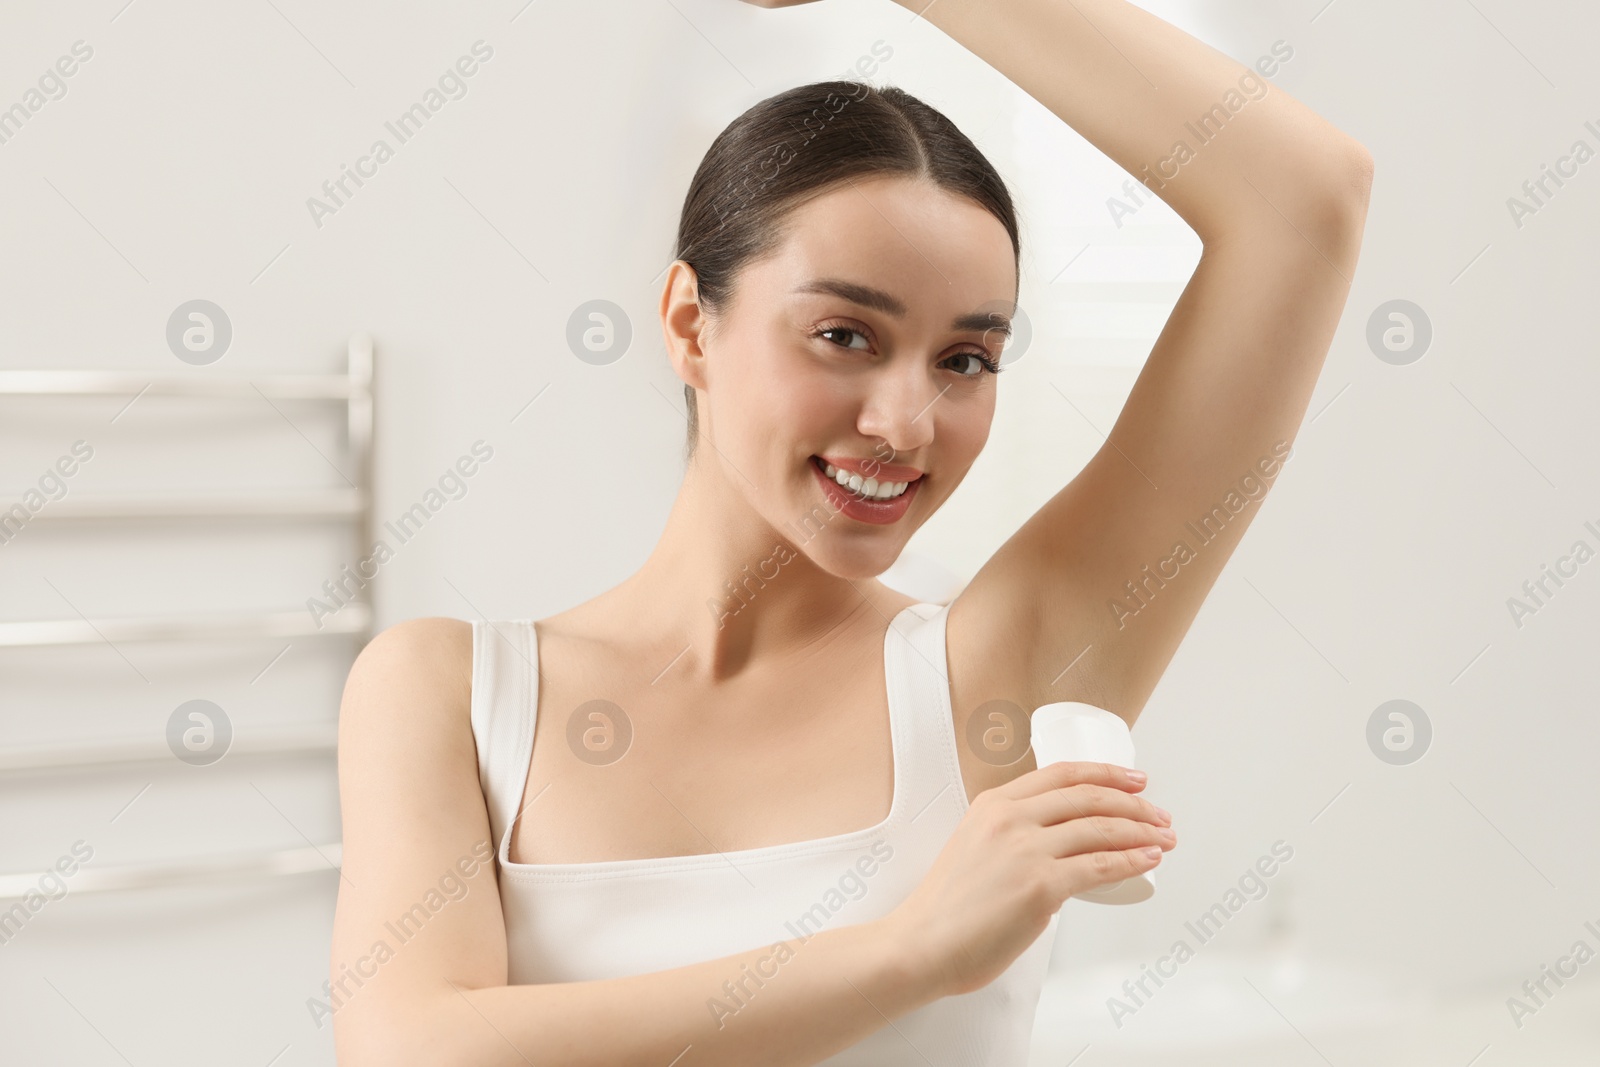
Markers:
<point>766,853</point>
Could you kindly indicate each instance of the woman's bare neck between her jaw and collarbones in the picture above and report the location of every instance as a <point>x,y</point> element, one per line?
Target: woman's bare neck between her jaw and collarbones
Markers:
<point>730,591</point>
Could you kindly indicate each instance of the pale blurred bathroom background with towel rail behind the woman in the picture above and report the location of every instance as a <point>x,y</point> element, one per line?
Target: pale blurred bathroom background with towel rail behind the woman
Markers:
<point>289,370</point>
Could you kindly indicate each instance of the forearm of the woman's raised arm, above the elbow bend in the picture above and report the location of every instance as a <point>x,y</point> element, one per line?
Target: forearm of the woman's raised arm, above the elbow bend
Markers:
<point>1194,126</point>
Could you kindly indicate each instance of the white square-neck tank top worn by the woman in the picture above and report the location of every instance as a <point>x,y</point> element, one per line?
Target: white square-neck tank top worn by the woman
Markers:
<point>614,919</point>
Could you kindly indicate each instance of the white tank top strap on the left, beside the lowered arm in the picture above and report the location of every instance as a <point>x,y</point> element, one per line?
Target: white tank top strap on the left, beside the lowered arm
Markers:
<point>503,709</point>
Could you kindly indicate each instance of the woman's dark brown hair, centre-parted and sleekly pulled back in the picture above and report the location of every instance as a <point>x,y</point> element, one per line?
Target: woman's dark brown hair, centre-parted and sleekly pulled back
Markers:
<point>801,143</point>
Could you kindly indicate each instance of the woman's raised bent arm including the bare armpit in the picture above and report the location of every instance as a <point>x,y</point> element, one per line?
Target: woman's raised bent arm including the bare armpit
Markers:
<point>1111,572</point>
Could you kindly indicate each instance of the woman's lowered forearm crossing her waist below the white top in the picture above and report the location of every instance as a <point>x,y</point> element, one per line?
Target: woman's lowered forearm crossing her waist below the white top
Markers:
<point>834,989</point>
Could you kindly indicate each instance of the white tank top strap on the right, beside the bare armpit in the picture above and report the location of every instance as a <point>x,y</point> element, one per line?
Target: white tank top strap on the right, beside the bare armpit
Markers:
<point>919,690</point>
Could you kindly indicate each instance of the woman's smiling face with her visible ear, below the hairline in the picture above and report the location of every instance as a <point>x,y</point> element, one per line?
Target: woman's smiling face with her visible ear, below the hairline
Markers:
<point>866,342</point>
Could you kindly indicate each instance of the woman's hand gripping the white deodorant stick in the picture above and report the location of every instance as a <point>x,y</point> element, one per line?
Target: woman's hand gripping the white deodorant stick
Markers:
<point>1020,852</point>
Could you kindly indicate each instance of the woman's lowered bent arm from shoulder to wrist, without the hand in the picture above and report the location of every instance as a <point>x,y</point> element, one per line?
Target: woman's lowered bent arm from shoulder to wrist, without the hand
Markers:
<point>417,834</point>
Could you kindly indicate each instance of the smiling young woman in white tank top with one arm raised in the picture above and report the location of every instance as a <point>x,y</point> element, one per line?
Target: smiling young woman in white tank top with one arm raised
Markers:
<point>730,812</point>
